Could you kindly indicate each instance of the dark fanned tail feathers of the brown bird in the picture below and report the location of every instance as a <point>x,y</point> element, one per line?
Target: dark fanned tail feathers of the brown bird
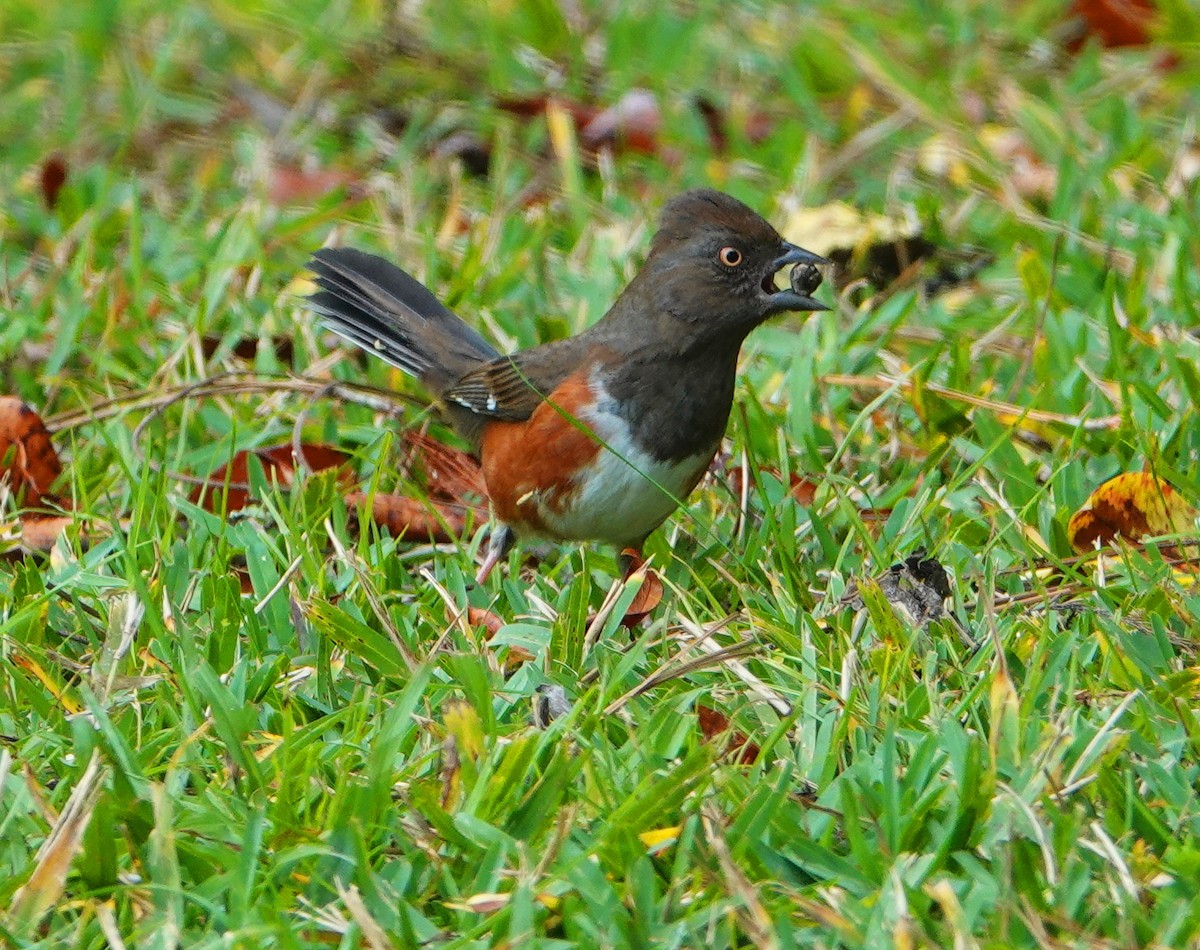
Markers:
<point>375,305</point>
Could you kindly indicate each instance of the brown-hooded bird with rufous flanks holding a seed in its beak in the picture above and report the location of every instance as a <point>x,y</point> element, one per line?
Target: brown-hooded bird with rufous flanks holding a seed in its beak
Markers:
<point>602,436</point>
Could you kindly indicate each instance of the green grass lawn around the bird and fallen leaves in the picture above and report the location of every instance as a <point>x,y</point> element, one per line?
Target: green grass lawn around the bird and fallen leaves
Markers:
<point>335,759</point>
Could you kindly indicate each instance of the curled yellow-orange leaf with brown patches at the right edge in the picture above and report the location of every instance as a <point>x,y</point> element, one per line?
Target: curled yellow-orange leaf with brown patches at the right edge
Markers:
<point>1132,507</point>
